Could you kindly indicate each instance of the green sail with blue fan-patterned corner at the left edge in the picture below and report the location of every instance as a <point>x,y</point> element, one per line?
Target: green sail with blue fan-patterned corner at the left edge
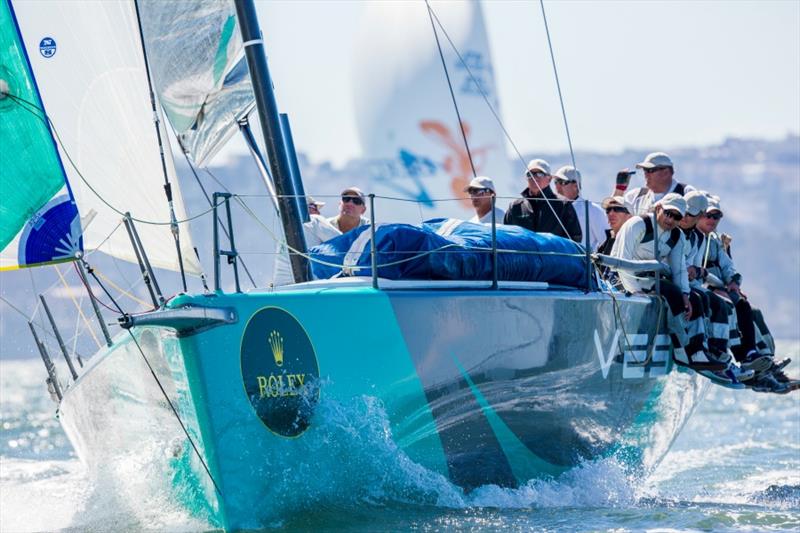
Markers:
<point>37,205</point>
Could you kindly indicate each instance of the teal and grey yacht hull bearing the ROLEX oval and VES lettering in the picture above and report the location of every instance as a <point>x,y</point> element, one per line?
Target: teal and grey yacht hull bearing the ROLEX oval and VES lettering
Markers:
<point>480,387</point>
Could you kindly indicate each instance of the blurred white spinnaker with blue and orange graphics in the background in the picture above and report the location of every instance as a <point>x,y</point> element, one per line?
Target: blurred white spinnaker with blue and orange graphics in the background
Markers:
<point>404,111</point>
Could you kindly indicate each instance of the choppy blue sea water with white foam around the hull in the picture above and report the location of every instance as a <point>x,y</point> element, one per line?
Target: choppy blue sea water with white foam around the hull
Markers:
<point>735,467</point>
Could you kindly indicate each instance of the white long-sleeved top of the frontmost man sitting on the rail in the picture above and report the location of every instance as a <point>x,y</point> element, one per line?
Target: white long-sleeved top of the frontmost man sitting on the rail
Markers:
<point>629,245</point>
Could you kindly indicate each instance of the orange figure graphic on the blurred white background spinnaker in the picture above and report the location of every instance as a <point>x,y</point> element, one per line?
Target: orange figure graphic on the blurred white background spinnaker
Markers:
<point>456,163</point>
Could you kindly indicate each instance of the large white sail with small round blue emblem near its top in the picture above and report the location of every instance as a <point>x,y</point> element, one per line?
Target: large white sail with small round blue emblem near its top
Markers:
<point>94,89</point>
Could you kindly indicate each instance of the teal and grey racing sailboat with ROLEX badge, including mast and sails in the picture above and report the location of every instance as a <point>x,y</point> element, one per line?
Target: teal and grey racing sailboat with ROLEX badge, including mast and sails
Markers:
<point>487,381</point>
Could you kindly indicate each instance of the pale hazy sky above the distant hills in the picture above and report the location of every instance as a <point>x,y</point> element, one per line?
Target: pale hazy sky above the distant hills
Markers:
<point>634,73</point>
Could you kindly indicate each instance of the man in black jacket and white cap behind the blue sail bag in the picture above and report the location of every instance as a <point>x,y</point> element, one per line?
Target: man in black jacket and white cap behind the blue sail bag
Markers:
<point>539,209</point>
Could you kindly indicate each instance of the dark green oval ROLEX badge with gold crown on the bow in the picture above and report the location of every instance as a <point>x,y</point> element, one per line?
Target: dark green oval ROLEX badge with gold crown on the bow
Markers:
<point>280,372</point>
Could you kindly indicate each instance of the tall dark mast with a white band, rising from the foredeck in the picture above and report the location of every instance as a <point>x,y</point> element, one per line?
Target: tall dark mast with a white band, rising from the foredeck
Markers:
<point>273,137</point>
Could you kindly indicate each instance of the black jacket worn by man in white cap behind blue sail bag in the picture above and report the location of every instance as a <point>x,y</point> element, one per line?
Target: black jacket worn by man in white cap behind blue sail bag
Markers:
<point>535,215</point>
